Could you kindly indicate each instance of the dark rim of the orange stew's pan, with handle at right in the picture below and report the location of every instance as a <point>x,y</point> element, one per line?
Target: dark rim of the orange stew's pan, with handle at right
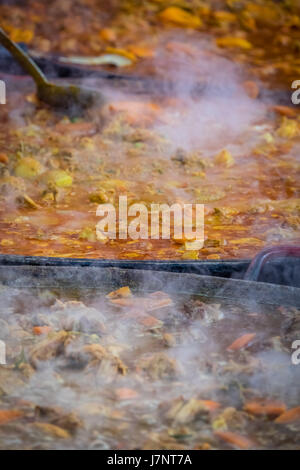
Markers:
<point>276,265</point>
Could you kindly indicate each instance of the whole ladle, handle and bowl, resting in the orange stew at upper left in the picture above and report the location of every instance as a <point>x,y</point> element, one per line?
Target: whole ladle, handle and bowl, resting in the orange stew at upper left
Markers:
<point>71,99</point>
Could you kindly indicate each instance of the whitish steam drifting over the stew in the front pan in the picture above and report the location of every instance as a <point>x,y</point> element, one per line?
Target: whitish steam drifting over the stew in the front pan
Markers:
<point>197,363</point>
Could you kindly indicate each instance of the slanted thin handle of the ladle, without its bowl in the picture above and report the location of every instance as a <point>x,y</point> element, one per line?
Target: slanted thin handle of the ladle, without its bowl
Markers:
<point>24,60</point>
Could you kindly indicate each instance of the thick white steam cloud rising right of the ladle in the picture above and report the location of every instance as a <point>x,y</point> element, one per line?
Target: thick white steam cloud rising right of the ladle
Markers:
<point>213,107</point>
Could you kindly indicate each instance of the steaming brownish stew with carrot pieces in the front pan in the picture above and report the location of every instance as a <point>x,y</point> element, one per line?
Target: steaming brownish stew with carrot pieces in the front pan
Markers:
<point>128,370</point>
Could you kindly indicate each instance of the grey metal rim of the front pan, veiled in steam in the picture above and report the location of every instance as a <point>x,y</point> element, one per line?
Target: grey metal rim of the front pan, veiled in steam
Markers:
<point>108,278</point>
